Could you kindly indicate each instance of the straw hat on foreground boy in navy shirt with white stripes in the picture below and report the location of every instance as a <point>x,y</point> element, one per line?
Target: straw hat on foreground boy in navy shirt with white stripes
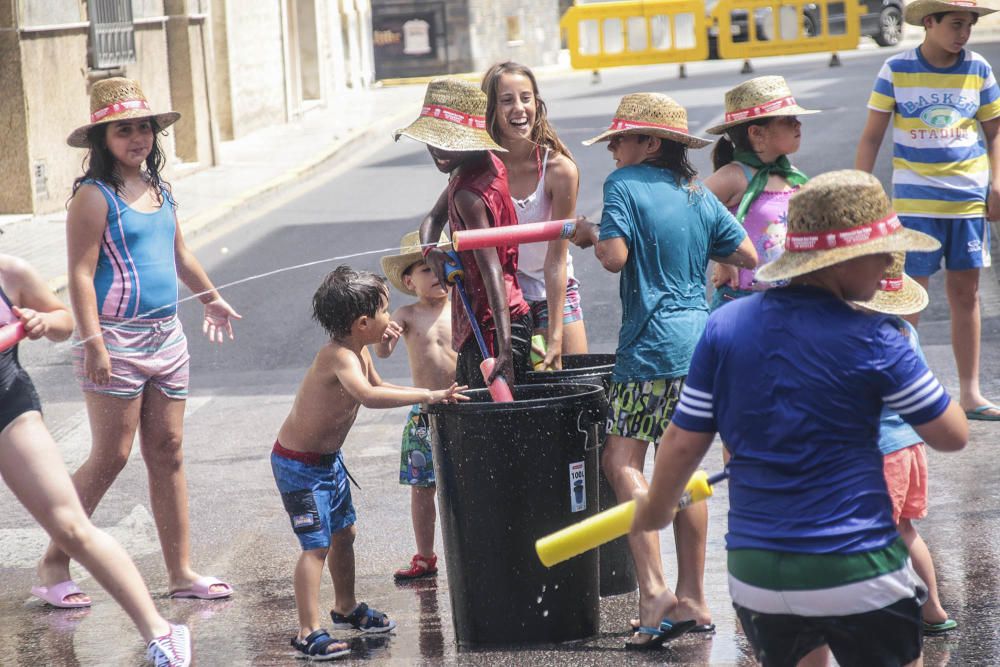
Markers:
<point>838,216</point>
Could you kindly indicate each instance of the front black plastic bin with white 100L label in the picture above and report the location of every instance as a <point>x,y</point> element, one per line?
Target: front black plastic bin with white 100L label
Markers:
<point>508,474</point>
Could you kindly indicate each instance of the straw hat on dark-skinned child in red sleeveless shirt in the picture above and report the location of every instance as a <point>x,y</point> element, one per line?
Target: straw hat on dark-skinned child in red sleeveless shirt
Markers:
<point>453,118</point>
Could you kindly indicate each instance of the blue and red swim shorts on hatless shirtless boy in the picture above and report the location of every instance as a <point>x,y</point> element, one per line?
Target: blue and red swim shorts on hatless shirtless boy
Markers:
<point>315,492</point>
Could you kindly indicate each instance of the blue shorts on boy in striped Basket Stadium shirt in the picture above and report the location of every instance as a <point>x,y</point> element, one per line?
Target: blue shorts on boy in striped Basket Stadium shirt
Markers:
<point>965,244</point>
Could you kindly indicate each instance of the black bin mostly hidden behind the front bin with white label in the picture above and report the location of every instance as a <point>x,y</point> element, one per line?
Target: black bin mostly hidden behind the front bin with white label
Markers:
<point>616,564</point>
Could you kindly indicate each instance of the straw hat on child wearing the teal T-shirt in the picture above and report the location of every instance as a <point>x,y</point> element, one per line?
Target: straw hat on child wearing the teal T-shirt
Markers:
<point>653,114</point>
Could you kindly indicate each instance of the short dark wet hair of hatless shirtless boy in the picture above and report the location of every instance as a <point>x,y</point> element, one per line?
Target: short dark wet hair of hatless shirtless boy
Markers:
<point>344,296</point>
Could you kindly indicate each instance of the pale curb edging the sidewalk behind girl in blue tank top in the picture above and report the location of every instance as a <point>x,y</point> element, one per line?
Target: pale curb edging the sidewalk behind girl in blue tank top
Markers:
<point>195,224</point>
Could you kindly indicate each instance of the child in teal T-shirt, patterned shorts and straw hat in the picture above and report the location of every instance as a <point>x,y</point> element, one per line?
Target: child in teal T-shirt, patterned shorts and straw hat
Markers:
<point>659,228</point>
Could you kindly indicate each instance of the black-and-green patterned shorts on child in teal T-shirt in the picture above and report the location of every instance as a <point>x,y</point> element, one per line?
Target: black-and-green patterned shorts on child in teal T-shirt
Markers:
<point>641,410</point>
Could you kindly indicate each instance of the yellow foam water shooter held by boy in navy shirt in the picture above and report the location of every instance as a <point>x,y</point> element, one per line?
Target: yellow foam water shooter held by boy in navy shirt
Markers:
<point>611,524</point>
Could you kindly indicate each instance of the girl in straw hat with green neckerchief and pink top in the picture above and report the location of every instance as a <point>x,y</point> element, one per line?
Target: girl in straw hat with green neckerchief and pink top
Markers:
<point>753,176</point>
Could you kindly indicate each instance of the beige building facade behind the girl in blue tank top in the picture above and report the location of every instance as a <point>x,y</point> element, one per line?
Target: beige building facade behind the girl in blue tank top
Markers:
<point>229,67</point>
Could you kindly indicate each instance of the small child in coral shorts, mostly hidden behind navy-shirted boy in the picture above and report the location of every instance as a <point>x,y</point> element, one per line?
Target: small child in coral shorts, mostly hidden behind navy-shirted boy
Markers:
<point>905,463</point>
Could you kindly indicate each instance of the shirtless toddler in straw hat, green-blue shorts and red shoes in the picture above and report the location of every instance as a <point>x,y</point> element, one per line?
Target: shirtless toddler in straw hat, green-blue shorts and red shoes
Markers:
<point>426,328</point>
